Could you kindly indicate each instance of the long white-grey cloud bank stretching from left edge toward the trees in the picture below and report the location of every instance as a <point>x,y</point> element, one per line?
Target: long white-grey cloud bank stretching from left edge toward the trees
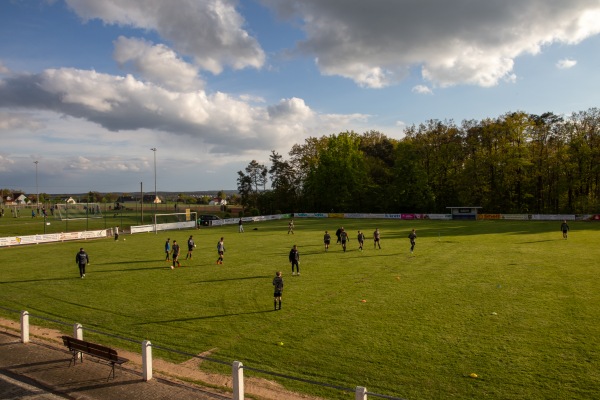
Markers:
<point>223,124</point>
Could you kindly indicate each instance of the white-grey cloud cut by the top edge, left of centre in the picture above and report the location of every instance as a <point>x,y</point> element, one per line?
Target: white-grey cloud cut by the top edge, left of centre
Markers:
<point>211,31</point>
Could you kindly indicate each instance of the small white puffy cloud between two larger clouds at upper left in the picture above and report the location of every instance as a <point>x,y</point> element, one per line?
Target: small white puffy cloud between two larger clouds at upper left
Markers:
<point>157,63</point>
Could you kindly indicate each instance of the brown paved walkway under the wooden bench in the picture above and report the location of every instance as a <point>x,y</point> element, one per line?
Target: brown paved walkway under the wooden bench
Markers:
<point>41,371</point>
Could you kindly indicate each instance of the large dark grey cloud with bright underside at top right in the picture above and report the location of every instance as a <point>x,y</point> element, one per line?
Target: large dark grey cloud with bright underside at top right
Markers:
<point>376,43</point>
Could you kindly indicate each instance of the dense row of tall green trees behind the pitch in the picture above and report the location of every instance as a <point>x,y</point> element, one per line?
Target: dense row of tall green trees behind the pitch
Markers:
<point>516,163</point>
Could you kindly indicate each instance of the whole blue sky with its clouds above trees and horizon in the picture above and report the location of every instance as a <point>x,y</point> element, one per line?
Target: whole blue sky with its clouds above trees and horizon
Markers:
<point>88,88</point>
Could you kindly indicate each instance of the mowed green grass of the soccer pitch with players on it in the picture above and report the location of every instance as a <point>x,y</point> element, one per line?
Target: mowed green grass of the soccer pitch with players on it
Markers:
<point>510,301</point>
